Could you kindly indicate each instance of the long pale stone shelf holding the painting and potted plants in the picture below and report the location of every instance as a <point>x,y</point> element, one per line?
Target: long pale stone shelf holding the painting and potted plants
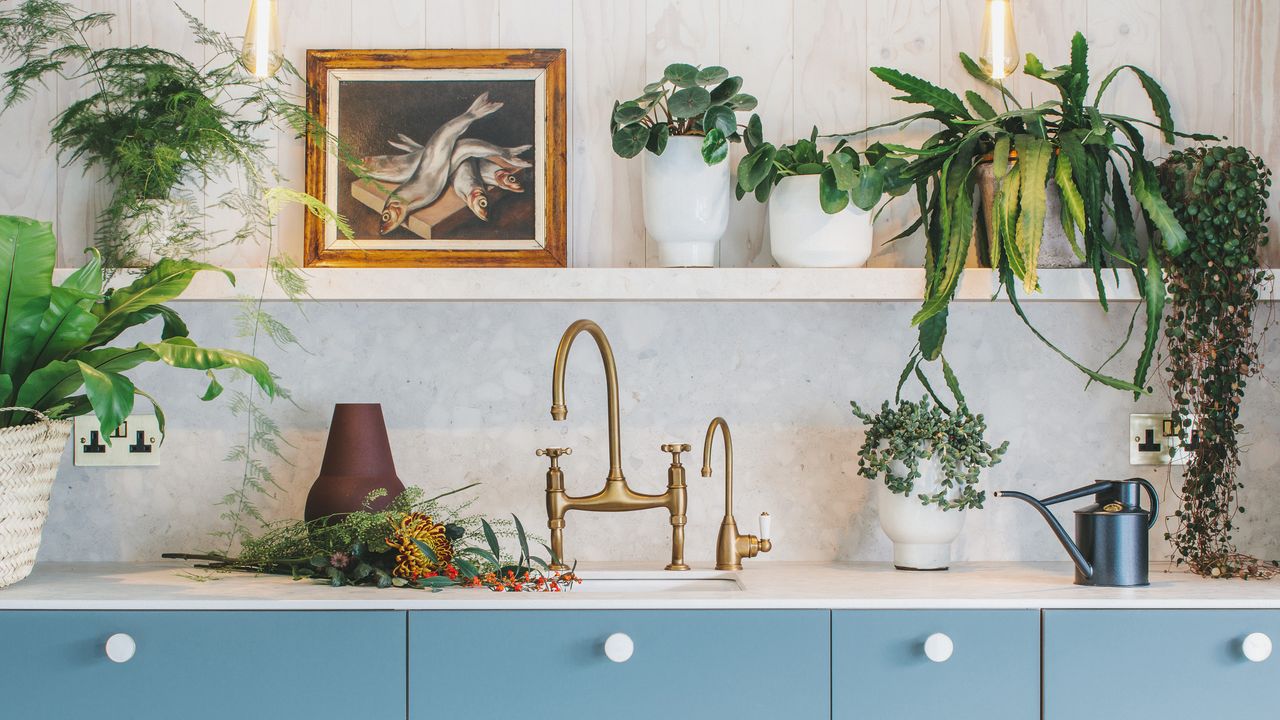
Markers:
<point>650,285</point>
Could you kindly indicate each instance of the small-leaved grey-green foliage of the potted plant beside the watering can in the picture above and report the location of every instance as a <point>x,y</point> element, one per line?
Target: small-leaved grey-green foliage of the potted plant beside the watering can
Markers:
<point>915,432</point>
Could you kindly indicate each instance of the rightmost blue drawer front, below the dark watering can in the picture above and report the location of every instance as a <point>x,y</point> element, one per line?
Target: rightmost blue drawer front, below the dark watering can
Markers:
<point>1121,664</point>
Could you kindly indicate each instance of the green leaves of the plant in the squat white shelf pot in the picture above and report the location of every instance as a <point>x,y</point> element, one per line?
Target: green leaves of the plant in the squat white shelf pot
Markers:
<point>844,176</point>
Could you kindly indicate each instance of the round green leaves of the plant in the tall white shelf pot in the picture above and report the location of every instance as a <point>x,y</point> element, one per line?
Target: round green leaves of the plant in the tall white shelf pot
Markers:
<point>687,102</point>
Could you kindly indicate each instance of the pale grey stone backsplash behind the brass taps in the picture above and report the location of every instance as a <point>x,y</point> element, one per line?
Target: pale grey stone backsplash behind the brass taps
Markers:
<point>467,394</point>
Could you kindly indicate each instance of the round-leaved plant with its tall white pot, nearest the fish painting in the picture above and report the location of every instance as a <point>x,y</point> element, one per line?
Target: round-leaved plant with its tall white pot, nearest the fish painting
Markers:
<point>685,121</point>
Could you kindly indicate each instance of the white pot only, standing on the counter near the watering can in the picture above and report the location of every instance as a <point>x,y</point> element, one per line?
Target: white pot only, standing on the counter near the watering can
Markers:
<point>922,535</point>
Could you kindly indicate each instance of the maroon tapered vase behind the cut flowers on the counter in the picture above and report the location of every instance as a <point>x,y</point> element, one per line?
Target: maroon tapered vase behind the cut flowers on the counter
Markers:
<point>358,461</point>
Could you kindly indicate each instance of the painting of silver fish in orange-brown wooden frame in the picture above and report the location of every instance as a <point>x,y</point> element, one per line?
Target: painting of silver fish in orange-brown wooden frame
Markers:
<point>438,158</point>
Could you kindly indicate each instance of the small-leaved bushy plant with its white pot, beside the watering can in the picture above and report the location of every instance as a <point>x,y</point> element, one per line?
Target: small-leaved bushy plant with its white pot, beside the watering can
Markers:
<point>930,461</point>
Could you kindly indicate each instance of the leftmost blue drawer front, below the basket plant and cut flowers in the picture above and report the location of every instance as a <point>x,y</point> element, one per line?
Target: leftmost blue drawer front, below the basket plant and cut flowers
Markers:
<point>204,666</point>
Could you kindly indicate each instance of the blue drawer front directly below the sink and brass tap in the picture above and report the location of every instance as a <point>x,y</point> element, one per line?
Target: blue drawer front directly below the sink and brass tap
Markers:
<point>740,664</point>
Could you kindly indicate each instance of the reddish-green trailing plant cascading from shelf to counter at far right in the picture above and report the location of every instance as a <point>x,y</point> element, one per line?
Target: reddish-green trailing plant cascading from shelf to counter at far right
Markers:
<point>1219,197</point>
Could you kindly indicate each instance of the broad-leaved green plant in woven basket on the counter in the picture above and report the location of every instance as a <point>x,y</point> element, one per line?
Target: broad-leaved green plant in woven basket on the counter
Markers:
<point>57,363</point>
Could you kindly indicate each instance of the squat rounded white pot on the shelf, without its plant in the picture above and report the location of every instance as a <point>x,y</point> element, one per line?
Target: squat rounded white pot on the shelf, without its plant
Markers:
<point>803,236</point>
